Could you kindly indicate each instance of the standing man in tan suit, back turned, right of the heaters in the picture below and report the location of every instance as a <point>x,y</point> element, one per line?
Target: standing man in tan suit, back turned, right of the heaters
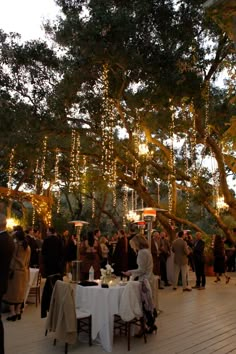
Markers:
<point>180,249</point>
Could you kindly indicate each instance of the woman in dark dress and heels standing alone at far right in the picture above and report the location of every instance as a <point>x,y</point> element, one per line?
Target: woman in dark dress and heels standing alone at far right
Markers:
<point>219,259</point>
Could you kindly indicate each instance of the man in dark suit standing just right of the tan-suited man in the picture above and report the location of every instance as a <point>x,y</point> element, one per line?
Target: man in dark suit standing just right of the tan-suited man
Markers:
<point>199,262</point>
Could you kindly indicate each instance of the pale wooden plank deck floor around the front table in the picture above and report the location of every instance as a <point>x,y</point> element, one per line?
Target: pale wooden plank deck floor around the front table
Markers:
<point>200,322</point>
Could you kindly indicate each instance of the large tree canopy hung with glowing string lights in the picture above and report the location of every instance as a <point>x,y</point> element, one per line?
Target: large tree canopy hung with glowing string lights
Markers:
<point>146,69</point>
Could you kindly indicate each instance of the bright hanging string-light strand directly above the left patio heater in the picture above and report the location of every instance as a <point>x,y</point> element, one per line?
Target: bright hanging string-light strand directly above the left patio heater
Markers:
<point>74,160</point>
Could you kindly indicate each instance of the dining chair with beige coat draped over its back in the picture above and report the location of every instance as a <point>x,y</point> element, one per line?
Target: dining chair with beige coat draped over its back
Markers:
<point>64,319</point>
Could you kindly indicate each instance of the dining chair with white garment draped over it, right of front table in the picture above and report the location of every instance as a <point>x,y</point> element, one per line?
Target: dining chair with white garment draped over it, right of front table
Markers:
<point>130,312</point>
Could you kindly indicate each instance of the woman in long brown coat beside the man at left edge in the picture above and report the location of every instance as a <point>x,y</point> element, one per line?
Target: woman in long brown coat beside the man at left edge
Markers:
<point>19,276</point>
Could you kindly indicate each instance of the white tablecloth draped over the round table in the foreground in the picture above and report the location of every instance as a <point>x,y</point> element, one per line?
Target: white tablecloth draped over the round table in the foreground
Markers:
<point>103,304</point>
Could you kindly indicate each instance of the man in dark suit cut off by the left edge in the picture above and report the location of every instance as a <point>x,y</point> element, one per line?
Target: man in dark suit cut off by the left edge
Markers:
<point>6,252</point>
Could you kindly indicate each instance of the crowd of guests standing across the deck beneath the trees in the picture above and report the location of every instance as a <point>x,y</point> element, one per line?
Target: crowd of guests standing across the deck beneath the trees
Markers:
<point>128,253</point>
